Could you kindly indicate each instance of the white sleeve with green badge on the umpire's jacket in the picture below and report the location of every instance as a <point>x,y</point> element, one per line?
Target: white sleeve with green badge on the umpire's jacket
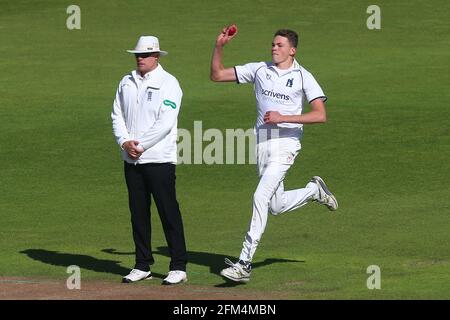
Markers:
<point>167,118</point>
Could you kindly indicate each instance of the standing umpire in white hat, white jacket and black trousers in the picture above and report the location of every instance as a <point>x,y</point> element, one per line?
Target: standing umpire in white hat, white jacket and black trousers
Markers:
<point>144,119</point>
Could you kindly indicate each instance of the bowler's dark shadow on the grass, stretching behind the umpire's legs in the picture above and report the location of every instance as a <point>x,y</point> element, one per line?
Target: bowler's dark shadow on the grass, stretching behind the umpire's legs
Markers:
<point>214,261</point>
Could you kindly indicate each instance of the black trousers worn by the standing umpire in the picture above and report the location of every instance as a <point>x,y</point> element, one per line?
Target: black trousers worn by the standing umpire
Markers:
<point>157,180</point>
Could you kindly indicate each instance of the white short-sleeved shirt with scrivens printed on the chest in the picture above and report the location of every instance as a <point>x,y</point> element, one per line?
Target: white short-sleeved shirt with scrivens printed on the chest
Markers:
<point>280,90</point>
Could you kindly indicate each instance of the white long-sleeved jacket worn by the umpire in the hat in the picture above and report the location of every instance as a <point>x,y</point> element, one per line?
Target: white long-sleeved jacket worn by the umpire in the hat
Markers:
<point>146,109</point>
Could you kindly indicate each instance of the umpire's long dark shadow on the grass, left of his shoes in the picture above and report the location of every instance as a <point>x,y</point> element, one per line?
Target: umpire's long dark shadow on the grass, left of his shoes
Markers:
<point>86,262</point>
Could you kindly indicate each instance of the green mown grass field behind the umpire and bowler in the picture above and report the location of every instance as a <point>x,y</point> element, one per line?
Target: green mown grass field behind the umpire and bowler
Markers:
<point>384,151</point>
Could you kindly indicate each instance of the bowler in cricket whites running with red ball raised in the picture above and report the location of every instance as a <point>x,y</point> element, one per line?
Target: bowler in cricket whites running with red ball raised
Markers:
<point>281,86</point>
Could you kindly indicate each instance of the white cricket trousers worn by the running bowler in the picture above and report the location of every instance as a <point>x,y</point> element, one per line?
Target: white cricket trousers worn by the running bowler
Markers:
<point>274,158</point>
